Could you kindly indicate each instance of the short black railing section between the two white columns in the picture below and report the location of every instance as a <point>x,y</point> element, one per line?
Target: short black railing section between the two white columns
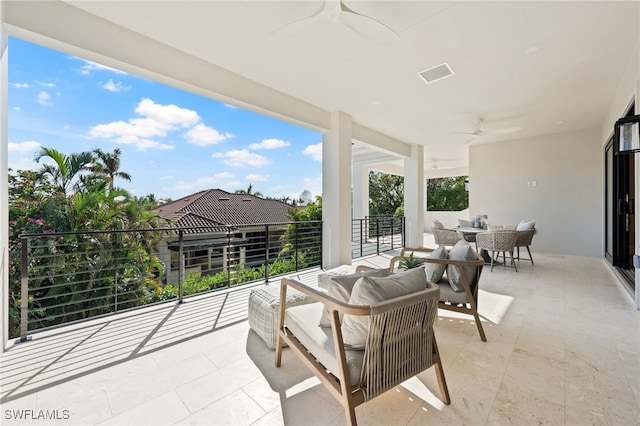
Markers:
<point>376,234</point>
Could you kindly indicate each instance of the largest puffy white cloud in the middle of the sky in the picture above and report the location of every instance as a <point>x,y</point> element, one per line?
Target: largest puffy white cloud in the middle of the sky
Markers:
<point>156,122</point>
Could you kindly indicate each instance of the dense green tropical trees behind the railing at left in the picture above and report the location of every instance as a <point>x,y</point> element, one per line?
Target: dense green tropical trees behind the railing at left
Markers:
<point>78,274</point>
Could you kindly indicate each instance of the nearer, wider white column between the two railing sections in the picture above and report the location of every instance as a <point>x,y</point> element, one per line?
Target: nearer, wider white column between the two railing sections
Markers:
<point>336,192</point>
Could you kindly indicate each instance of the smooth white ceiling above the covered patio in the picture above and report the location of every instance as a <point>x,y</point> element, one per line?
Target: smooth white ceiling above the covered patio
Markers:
<point>543,67</point>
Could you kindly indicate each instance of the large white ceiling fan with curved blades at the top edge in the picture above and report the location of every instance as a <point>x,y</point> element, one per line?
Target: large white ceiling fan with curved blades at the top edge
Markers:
<point>335,11</point>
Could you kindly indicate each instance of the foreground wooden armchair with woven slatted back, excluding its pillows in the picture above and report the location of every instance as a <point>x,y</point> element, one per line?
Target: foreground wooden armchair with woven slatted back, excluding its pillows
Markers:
<point>399,345</point>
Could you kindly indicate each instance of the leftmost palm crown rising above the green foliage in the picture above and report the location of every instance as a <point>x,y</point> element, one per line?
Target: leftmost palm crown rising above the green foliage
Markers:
<point>65,168</point>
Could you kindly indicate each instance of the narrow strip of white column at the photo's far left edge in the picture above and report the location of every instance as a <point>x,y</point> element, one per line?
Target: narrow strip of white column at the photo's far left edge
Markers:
<point>4,187</point>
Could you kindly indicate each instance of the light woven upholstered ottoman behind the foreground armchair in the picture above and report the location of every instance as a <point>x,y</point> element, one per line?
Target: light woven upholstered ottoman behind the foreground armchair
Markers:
<point>264,303</point>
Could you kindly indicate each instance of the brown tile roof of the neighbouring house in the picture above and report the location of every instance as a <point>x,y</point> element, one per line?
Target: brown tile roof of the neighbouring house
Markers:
<point>215,208</point>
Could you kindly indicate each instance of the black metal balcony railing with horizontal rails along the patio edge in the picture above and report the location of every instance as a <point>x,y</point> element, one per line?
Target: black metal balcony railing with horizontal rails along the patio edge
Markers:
<point>73,276</point>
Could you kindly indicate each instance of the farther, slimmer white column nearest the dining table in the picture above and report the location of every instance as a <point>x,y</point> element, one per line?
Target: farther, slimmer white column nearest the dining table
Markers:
<point>414,197</point>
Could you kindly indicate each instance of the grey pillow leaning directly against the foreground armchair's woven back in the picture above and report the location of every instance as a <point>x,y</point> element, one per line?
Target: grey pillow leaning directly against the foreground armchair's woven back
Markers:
<point>370,290</point>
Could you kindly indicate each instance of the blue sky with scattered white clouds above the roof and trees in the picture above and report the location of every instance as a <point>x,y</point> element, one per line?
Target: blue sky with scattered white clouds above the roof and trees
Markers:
<point>173,143</point>
